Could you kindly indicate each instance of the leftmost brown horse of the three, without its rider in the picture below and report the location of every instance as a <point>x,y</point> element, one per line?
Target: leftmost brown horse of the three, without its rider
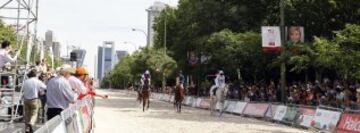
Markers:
<point>145,94</point>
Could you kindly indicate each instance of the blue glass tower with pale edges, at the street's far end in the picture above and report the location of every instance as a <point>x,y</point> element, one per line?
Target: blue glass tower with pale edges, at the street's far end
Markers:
<point>106,59</point>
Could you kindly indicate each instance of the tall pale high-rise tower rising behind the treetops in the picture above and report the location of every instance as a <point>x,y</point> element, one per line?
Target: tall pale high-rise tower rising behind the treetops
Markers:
<point>153,12</point>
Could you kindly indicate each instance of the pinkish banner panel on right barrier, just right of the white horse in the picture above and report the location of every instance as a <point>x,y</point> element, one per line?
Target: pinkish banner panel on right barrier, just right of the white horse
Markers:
<point>256,109</point>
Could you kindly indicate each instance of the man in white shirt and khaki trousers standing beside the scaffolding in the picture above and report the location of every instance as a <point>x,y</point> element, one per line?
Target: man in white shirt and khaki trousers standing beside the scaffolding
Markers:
<point>32,88</point>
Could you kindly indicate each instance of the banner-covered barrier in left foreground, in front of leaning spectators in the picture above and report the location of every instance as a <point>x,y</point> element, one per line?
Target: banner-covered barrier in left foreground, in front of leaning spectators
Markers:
<point>75,119</point>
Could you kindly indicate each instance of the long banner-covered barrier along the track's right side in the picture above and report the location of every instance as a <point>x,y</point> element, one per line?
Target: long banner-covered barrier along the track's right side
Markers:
<point>320,118</point>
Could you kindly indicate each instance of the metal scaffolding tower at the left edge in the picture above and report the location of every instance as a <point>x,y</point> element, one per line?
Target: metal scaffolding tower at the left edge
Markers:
<point>22,15</point>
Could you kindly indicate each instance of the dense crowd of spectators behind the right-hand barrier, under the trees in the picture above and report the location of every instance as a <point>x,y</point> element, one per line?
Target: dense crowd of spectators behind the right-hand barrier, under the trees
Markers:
<point>338,94</point>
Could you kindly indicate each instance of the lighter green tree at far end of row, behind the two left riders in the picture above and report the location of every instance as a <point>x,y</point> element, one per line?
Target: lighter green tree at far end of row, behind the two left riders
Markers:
<point>130,68</point>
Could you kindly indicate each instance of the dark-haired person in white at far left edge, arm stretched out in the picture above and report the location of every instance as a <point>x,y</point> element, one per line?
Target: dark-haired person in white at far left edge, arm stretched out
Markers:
<point>5,56</point>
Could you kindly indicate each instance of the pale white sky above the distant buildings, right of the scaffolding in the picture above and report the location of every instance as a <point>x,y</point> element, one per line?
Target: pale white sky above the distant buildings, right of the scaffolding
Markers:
<point>87,23</point>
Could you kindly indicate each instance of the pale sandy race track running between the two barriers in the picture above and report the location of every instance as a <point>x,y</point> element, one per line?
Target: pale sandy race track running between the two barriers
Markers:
<point>122,114</point>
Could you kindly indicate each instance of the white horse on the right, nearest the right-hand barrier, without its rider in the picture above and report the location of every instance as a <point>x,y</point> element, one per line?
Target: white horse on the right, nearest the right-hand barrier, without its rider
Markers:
<point>219,97</point>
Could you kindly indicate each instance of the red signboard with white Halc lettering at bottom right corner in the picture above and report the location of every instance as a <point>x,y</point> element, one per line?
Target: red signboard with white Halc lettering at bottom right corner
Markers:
<point>349,123</point>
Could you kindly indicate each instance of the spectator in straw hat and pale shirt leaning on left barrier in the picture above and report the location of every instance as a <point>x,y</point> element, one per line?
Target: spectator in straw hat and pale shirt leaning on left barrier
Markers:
<point>59,93</point>
